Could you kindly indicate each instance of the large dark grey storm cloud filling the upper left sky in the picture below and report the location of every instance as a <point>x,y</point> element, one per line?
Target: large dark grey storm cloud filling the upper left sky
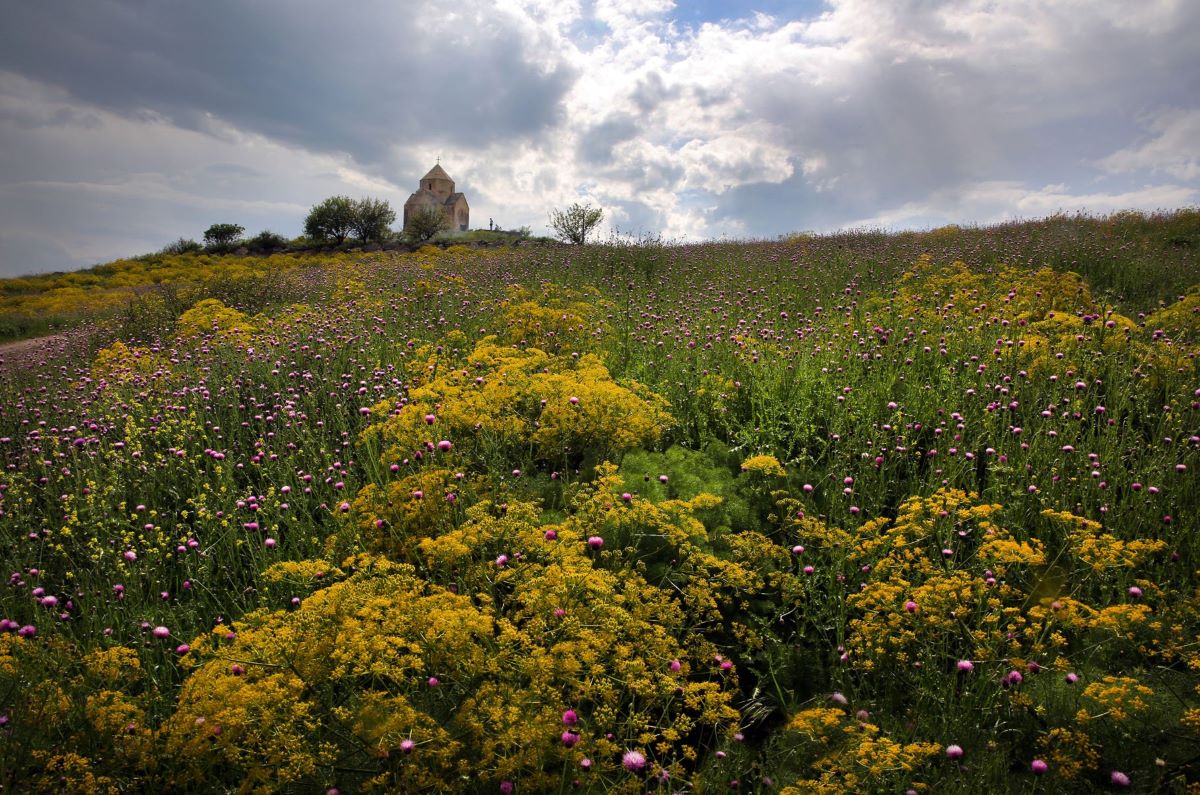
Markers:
<point>351,77</point>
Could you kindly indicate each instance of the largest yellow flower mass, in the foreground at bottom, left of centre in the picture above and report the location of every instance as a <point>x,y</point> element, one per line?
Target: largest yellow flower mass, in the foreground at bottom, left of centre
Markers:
<point>466,671</point>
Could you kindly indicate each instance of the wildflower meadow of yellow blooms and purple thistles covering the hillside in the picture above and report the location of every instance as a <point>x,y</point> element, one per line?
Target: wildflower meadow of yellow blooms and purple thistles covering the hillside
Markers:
<point>836,513</point>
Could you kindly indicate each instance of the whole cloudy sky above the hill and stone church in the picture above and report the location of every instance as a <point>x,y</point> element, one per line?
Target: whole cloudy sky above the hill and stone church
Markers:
<point>127,124</point>
